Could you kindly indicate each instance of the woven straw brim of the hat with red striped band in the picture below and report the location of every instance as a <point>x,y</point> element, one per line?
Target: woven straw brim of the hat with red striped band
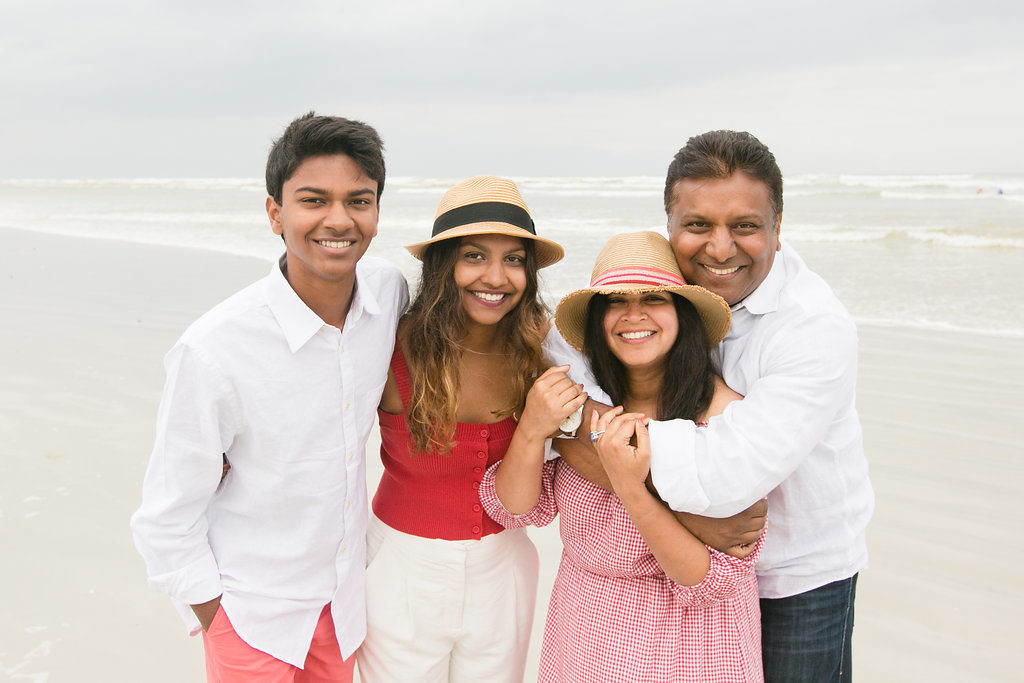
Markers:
<point>571,316</point>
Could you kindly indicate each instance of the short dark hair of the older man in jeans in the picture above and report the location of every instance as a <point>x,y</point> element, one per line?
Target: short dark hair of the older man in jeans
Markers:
<point>719,154</point>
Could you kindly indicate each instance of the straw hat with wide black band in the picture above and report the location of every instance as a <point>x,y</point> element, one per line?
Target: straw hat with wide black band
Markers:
<point>486,205</point>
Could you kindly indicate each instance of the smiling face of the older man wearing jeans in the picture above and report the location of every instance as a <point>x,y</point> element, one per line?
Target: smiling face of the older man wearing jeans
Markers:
<point>724,233</point>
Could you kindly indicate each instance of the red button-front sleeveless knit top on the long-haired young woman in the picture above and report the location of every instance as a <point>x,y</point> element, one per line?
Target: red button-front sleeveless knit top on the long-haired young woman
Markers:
<point>431,495</point>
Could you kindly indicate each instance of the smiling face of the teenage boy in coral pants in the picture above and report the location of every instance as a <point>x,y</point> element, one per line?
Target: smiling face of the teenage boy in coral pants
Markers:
<point>328,217</point>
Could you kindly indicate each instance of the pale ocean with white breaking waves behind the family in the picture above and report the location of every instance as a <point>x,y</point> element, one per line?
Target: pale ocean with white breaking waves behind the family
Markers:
<point>941,252</point>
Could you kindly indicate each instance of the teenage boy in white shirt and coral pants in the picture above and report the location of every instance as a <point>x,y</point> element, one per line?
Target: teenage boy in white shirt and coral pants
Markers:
<point>281,382</point>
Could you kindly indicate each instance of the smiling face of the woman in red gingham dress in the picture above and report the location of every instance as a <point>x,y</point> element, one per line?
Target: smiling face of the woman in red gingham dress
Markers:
<point>641,328</point>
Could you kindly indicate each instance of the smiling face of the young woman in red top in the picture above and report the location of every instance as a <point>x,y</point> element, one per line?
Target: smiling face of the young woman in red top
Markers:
<point>491,275</point>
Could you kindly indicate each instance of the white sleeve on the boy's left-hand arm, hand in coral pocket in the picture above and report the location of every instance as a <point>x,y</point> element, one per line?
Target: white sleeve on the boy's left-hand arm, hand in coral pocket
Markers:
<point>196,424</point>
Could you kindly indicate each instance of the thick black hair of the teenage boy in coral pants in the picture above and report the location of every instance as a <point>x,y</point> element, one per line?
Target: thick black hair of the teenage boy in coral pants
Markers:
<point>313,136</point>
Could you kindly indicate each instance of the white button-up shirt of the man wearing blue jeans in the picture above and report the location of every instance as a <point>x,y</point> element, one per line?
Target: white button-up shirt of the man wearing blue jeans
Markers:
<point>792,352</point>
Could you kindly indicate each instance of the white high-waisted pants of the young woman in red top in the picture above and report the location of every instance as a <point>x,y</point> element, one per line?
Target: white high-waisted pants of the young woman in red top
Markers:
<point>447,611</point>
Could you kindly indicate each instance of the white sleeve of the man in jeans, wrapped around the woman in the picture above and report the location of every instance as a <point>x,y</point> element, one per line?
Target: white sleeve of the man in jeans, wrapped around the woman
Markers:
<point>806,377</point>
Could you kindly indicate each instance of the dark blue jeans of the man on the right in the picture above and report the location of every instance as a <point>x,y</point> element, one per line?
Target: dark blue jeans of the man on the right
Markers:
<point>807,637</point>
